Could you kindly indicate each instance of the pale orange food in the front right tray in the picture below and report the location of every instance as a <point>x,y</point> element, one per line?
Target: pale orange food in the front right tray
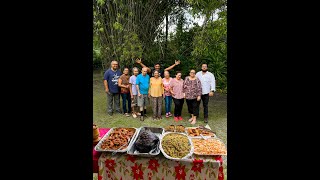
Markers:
<point>211,146</point>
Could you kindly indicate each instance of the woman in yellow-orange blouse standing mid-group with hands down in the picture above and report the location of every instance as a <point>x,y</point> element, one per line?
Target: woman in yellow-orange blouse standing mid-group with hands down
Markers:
<point>156,93</point>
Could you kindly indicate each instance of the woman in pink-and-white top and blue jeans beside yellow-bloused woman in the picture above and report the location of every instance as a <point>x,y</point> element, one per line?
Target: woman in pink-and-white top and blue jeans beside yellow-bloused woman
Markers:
<point>167,94</point>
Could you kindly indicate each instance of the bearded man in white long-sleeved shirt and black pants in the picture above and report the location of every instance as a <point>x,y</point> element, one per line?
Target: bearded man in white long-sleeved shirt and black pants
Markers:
<point>208,83</point>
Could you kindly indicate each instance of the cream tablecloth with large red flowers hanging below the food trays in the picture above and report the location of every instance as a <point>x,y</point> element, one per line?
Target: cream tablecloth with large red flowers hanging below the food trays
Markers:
<point>122,166</point>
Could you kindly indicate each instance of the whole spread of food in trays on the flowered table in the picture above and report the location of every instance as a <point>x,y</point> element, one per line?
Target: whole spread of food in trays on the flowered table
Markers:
<point>174,144</point>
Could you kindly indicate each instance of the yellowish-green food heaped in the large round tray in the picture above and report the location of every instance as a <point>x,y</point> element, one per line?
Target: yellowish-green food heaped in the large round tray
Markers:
<point>176,145</point>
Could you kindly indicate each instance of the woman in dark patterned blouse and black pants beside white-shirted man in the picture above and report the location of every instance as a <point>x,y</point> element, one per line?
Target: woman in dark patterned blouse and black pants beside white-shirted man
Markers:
<point>192,90</point>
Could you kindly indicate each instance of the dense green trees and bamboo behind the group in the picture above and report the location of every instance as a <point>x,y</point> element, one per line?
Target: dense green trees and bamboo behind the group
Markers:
<point>127,29</point>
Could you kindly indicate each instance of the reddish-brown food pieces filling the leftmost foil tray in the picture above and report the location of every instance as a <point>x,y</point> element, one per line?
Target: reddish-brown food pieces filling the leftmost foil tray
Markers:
<point>118,139</point>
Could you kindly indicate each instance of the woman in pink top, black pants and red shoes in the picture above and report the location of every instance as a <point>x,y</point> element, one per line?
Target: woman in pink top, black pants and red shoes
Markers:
<point>176,87</point>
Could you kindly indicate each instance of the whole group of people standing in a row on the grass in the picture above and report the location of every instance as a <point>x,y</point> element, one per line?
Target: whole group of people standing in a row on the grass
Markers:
<point>156,84</point>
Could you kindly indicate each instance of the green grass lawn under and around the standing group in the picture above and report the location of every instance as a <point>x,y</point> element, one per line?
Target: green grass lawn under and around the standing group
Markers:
<point>217,114</point>
